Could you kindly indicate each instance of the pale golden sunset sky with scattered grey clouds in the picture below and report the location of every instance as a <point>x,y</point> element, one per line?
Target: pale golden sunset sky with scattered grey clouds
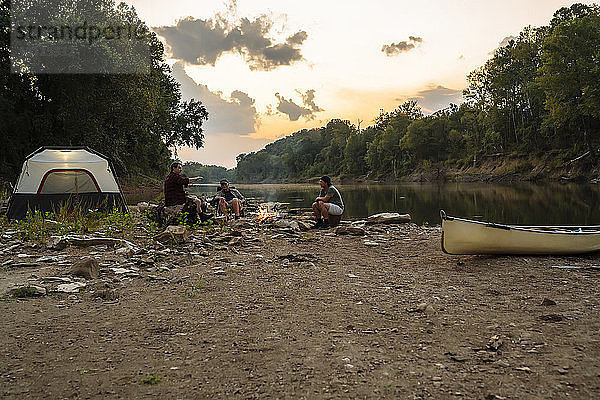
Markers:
<point>265,69</point>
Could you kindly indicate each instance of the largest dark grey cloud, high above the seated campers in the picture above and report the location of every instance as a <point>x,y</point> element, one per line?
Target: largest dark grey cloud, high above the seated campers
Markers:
<point>203,41</point>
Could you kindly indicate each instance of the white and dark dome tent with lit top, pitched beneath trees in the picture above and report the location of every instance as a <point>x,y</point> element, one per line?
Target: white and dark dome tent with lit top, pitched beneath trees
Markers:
<point>55,176</point>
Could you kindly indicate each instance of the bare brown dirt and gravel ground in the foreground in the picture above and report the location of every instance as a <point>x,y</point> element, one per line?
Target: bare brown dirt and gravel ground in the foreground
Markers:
<point>309,315</point>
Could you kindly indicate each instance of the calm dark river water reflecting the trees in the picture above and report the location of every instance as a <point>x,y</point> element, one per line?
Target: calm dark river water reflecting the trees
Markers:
<point>523,203</point>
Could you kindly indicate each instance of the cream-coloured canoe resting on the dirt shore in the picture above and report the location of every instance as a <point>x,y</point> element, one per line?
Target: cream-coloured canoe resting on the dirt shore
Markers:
<point>464,236</point>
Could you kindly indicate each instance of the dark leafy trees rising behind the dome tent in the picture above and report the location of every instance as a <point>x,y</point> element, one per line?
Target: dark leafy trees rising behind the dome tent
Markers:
<point>133,118</point>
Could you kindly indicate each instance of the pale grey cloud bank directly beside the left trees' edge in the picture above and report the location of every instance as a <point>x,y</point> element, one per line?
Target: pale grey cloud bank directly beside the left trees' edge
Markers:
<point>237,115</point>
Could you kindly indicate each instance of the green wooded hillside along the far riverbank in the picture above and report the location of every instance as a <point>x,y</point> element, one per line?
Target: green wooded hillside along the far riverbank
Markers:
<point>540,92</point>
